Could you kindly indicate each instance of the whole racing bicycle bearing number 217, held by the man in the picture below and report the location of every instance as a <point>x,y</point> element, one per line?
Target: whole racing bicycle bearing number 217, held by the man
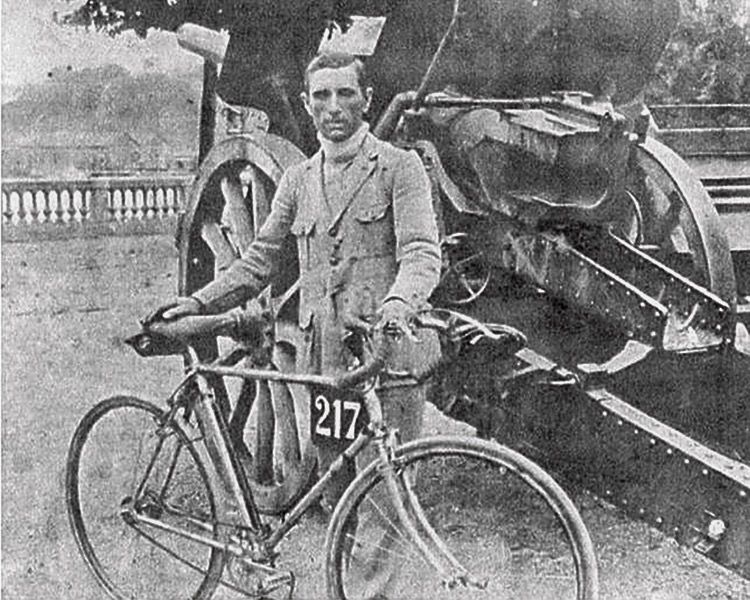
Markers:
<point>431,518</point>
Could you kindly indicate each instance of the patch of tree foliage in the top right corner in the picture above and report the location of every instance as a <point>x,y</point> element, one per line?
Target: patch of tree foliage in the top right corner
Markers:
<point>708,56</point>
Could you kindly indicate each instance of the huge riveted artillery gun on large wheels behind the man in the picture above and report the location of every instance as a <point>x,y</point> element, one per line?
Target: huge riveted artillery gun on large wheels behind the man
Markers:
<point>623,257</point>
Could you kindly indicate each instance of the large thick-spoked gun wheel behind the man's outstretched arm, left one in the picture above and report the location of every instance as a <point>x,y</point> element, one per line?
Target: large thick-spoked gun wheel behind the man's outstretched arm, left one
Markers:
<point>228,203</point>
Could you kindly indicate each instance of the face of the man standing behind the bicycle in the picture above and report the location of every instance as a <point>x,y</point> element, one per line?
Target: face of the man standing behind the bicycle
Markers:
<point>336,102</point>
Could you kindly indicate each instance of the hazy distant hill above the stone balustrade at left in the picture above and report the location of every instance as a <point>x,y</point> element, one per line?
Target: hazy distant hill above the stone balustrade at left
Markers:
<point>101,108</point>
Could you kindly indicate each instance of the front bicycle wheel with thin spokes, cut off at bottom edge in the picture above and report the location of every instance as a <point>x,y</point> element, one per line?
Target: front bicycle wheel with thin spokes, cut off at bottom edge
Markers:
<point>493,523</point>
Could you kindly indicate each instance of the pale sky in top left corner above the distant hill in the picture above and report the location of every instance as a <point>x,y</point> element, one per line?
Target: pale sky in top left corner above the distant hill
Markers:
<point>33,45</point>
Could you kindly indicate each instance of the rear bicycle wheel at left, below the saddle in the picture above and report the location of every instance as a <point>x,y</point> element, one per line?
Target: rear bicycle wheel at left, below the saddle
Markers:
<point>107,463</point>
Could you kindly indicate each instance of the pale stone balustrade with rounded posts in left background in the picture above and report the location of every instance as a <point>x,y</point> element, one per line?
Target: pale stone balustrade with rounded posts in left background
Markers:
<point>59,208</point>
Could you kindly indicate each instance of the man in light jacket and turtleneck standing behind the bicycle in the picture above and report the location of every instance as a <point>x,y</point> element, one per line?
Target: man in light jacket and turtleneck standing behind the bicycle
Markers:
<point>367,242</point>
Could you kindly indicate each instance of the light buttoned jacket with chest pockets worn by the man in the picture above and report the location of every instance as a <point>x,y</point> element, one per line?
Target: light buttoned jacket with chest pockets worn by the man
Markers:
<point>377,240</point>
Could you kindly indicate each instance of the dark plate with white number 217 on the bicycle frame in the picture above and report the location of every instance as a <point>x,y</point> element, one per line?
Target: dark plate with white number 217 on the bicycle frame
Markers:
<point>336,416</point>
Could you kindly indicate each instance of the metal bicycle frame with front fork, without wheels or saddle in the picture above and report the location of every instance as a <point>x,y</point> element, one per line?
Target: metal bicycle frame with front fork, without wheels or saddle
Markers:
<point>253,541</point>
